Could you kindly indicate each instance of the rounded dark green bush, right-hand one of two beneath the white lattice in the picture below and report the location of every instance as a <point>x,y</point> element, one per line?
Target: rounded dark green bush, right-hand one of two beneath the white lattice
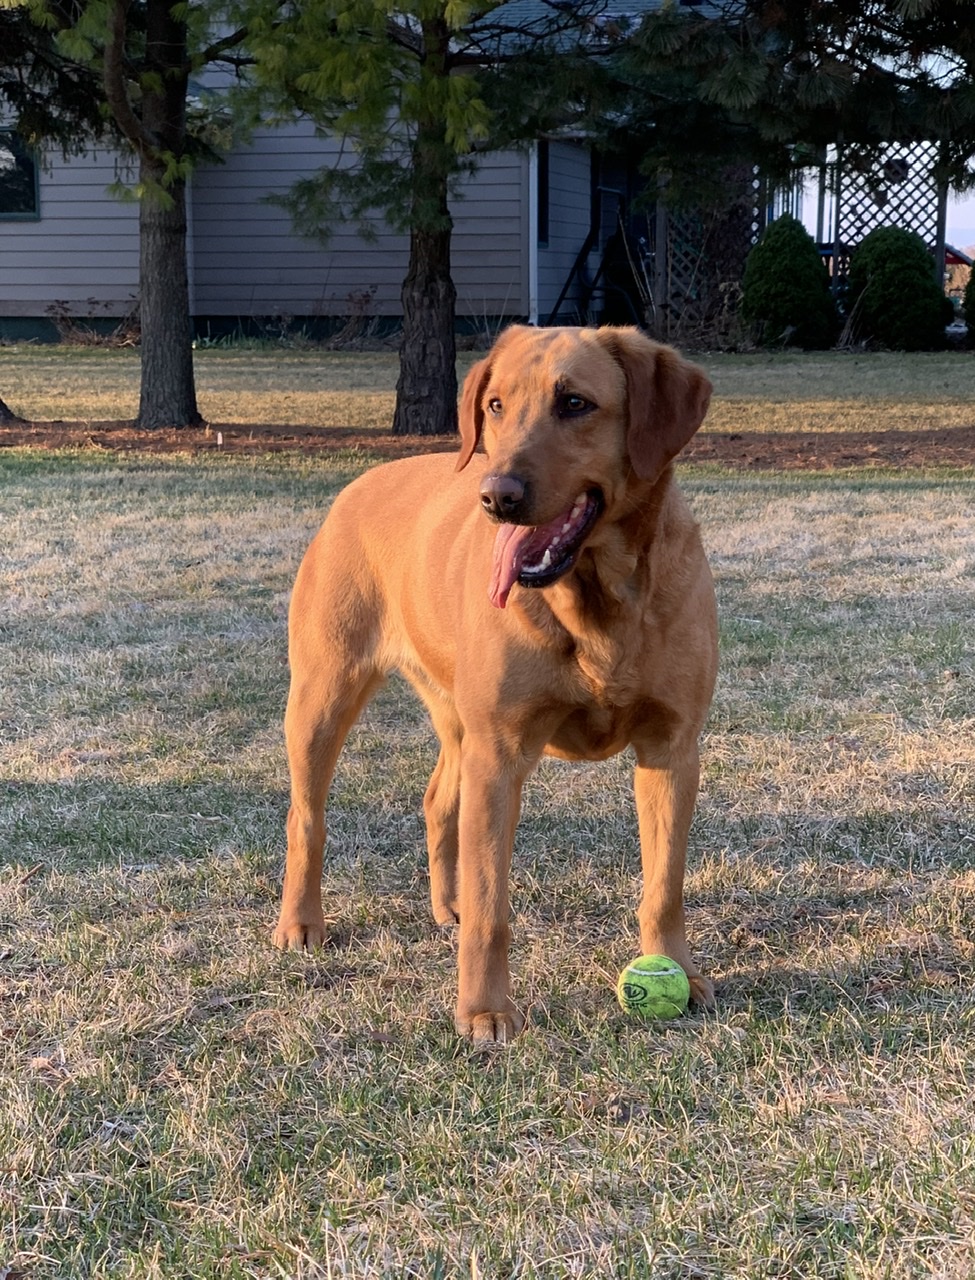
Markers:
<point>894,298</point>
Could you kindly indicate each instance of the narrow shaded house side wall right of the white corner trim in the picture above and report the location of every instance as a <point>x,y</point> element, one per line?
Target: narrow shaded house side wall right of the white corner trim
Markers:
<point>569,227</point>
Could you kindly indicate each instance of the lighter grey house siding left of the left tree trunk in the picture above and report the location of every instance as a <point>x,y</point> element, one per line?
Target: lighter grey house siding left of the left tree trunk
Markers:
<point>84,249</point>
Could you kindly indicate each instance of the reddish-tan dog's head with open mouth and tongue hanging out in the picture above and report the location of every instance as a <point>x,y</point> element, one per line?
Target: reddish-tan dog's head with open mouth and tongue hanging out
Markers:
<point>571,420</point>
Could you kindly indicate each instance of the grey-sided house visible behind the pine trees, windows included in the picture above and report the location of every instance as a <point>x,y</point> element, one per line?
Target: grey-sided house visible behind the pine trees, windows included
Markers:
<point>70,246</point>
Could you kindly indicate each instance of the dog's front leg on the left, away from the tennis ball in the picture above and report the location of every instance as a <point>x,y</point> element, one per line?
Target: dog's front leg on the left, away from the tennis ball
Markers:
<point>491,801</point>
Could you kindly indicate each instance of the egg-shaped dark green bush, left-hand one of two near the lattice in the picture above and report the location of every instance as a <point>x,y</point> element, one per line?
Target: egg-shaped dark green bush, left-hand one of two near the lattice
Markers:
<point>786,296</point>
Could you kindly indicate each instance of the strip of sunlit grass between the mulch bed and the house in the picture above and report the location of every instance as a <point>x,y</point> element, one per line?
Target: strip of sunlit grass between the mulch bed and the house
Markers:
<point>790,392</point>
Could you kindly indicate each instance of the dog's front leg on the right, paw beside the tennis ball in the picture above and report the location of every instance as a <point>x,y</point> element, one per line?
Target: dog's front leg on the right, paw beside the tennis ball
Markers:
<point>666,794</point>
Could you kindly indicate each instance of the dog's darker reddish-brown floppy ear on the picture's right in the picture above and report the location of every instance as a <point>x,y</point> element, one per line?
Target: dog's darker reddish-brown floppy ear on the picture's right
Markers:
<point>667,400</point>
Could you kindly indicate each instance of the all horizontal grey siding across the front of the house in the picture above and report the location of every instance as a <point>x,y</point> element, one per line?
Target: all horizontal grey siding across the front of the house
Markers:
<point>245,259</point>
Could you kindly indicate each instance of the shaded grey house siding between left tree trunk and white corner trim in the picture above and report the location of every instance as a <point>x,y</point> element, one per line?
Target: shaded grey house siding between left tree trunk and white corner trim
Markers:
<point>248,260</point>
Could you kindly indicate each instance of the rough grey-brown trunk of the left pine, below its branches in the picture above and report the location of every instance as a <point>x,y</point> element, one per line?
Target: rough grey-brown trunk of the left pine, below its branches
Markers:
<point>168,391</point>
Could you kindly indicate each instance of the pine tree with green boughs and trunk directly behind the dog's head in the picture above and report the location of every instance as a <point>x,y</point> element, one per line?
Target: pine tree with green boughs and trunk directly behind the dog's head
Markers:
<point>419,90</point>
